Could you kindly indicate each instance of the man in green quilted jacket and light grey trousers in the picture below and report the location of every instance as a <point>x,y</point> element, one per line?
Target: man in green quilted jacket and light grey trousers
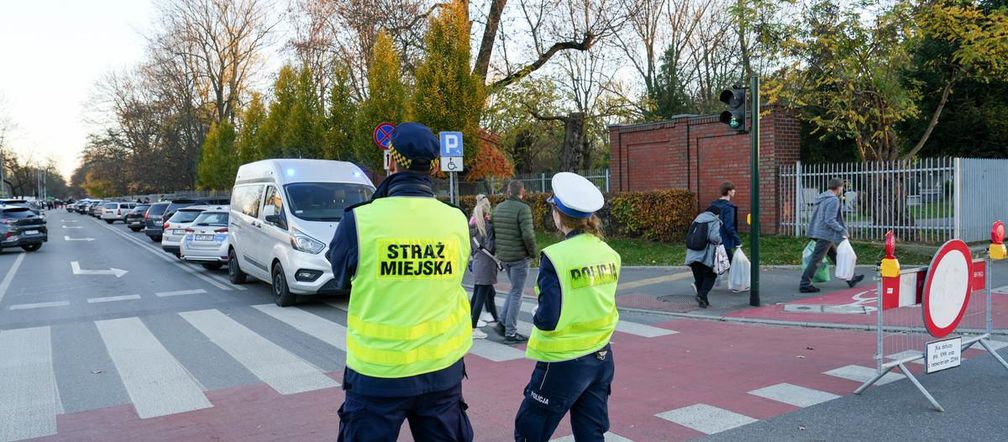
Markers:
<point>516,250</point>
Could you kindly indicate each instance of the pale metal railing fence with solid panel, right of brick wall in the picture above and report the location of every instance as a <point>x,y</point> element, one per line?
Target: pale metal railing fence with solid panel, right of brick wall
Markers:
<point>926,200</point>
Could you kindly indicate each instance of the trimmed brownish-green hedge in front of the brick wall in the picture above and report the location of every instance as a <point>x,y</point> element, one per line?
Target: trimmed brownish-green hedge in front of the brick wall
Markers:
<point>657,215</point>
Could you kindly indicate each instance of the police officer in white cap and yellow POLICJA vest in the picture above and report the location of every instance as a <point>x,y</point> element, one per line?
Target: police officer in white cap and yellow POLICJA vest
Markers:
<point>574,321</point>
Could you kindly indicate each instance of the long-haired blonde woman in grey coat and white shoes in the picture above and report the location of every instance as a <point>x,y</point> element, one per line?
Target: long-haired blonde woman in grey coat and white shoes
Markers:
<point>484,266</point>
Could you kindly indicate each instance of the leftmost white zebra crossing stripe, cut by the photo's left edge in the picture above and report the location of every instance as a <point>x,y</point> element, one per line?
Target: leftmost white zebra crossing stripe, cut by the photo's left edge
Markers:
<point>30,402</point>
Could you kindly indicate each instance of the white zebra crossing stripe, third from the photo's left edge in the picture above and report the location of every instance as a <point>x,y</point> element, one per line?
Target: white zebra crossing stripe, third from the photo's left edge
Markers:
<point>284,372</point>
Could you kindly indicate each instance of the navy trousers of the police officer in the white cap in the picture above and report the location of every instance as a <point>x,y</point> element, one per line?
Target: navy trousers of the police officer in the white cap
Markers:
<point>580,386</point>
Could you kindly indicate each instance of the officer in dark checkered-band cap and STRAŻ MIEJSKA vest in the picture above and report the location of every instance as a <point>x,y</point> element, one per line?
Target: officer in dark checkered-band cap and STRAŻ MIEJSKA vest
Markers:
<point>404,256</point>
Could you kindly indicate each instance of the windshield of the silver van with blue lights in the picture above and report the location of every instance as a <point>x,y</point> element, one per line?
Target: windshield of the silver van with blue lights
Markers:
<point>325,201</point>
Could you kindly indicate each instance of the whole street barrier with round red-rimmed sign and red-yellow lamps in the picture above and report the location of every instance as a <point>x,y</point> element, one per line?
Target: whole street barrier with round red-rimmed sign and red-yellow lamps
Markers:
<point>932,314</point>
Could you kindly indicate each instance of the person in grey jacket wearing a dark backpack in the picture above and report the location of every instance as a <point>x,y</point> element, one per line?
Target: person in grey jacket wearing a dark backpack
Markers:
<point>702,246</point>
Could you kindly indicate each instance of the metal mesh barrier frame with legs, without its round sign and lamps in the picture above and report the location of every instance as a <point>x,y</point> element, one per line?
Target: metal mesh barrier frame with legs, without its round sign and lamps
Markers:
<point>902,337</point>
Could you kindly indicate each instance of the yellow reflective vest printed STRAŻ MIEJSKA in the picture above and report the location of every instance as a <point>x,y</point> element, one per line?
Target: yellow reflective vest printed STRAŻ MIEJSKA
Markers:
<point>409,314</point>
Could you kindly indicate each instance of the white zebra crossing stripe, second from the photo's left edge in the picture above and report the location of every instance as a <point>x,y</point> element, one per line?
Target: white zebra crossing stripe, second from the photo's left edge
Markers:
<point>157,384</point>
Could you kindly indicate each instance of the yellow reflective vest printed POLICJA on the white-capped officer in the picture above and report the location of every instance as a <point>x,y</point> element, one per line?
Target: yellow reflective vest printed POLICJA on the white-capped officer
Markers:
<point>588,270</point>
